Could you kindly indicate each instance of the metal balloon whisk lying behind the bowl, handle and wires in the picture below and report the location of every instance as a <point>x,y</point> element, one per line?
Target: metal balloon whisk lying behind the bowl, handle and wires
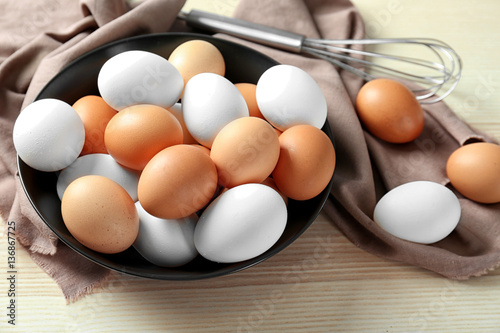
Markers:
<point>435,77</point>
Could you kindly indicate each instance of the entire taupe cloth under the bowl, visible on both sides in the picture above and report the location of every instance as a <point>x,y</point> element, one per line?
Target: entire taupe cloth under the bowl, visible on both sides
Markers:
<point>35,47</point>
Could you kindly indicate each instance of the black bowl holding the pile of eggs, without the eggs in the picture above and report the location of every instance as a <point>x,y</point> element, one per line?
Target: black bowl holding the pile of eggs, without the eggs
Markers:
<point>78,79</point>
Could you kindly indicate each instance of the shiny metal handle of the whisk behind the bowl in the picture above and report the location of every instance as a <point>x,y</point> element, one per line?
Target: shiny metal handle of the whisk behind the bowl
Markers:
<point>258,33</point>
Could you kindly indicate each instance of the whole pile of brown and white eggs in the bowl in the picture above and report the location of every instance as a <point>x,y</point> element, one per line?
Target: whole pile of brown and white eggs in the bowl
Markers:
<point>177,161</point>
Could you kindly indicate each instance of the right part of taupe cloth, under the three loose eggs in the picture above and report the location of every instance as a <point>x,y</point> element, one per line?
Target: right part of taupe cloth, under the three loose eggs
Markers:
<point>367,167</point>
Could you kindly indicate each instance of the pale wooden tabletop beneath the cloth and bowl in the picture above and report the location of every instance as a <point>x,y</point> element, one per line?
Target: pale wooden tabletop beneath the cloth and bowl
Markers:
<point>321,282</point>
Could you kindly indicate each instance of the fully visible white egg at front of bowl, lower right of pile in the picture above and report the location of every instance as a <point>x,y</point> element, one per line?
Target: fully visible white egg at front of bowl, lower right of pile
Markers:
<point>241,223</point>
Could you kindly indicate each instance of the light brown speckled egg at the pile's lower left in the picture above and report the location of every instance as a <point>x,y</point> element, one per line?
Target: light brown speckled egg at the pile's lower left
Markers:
<point>100,214</point>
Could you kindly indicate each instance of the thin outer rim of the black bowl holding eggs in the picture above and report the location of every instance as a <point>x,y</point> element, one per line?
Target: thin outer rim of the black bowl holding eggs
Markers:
<point>228,268</point>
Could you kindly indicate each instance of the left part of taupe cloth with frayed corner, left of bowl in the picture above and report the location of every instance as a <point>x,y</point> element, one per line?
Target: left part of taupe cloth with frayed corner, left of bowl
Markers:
<point>36,41</point>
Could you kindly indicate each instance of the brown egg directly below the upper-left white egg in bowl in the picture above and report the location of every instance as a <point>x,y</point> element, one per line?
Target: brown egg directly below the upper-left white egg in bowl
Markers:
<point>138,132</point>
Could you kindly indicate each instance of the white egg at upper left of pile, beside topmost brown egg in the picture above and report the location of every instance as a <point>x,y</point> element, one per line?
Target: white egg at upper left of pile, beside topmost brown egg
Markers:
<point>139,77</point>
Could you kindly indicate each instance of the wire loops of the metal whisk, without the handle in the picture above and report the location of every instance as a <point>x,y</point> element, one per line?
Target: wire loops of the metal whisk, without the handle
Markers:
<point>441,74</point>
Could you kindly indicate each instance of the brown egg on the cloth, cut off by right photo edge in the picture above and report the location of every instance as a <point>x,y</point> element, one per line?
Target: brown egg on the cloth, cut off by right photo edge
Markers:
<point>474,171</point>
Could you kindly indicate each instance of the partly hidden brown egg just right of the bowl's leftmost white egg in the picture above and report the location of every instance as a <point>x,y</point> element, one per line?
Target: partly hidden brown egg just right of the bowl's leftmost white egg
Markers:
<point>95,114</point>
